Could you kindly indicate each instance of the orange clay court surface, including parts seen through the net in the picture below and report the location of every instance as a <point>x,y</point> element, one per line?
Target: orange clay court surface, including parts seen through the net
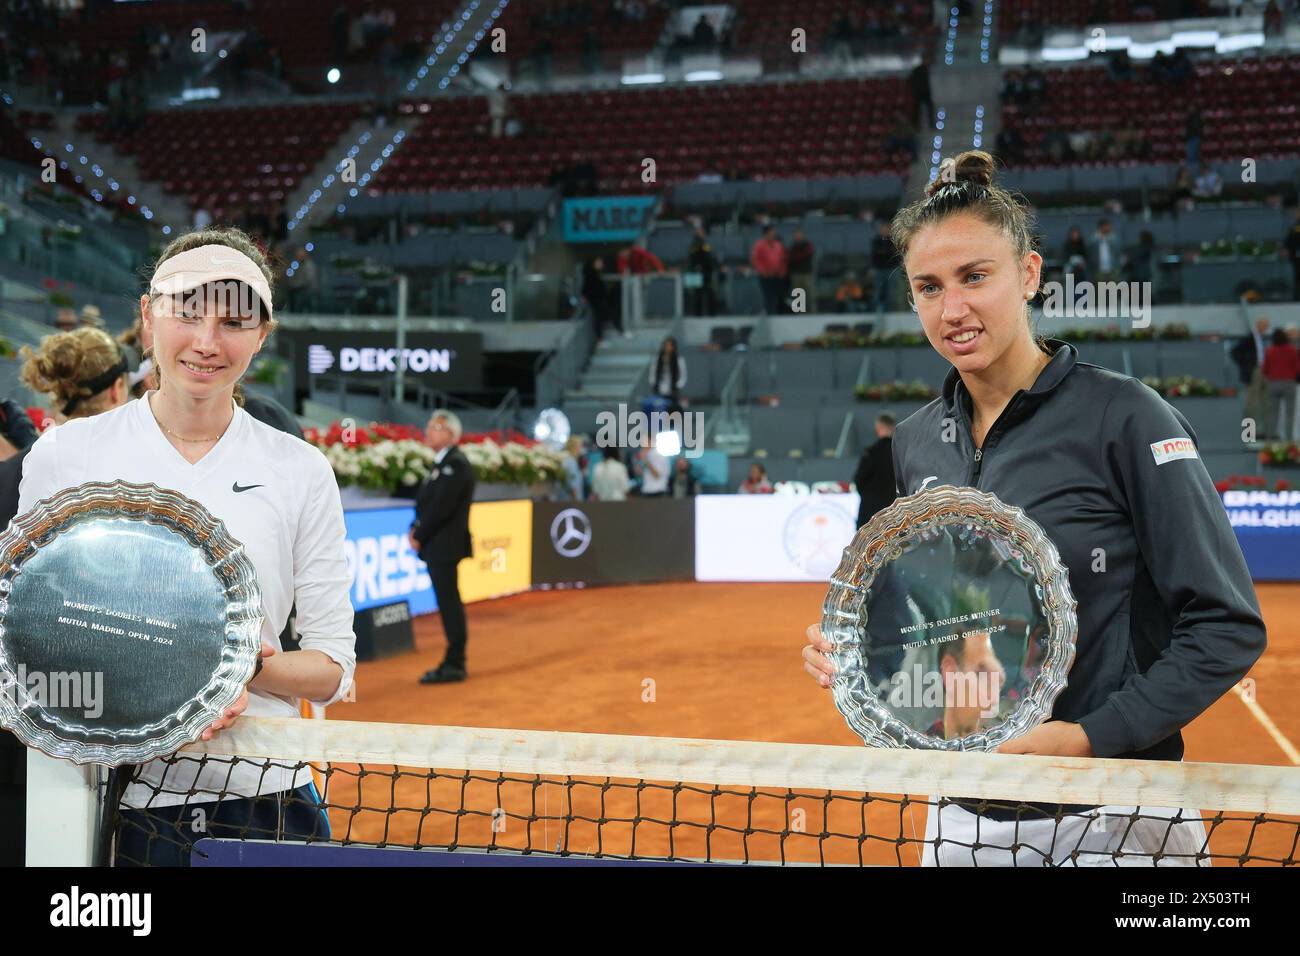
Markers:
<point>725,660</point>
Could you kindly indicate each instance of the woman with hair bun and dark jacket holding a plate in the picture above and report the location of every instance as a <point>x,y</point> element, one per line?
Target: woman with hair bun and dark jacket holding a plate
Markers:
<point>1168,616</point>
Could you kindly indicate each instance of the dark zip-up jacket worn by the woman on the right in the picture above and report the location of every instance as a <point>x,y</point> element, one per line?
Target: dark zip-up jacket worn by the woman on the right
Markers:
<point>1169,621</point>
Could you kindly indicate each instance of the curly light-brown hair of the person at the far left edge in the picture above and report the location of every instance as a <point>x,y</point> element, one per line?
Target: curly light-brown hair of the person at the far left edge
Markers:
<point>63,362</point>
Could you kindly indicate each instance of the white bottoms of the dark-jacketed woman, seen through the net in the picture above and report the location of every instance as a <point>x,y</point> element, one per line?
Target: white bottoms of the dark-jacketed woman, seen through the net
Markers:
<point>1084,840</point>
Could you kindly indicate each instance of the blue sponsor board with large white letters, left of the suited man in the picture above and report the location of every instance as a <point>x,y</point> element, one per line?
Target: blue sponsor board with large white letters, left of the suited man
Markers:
<point>382,563</point>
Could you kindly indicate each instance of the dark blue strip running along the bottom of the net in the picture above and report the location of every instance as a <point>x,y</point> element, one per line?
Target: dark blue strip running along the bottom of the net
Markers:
<point>265,854</point>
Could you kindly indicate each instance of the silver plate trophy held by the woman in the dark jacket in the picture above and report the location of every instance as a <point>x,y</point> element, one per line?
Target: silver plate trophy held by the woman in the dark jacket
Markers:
<point>954,624</point>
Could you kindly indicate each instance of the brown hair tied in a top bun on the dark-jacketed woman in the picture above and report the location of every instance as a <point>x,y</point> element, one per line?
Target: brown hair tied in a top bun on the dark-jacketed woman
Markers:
<point>965,184</point>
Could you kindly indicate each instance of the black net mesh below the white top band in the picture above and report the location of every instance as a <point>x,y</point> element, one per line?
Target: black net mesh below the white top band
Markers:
<point>159,823</point>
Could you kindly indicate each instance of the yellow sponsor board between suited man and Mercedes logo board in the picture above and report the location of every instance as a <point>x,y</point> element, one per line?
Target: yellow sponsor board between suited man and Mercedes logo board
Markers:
<point>504,551</point>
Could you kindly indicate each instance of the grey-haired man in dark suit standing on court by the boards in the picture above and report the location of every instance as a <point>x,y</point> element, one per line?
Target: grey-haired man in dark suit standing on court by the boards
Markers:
<point>440,535</point>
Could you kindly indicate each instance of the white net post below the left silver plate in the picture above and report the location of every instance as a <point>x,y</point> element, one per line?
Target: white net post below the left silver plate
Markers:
<point>63,812</point>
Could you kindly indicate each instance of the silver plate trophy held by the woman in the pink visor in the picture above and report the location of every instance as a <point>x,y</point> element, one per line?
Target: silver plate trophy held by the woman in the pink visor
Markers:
<point>129,621</point>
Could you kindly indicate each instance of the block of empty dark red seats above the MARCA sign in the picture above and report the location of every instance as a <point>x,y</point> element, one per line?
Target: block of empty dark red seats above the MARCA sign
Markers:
<point>811,129</point>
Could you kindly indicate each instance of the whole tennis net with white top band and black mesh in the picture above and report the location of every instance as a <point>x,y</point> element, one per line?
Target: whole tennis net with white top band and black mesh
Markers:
<point>627,798</point>
